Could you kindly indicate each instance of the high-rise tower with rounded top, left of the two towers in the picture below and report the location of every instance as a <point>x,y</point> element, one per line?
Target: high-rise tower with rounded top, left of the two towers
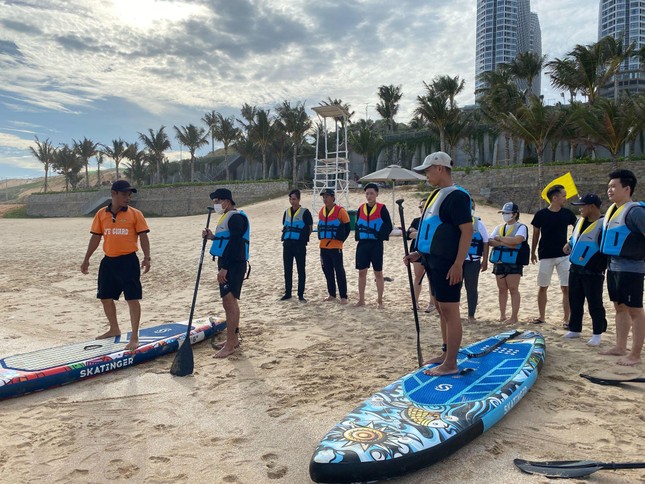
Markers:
<point>505,28</point>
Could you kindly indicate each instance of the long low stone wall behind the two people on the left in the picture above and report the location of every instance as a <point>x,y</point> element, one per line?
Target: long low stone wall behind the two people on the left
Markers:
<point>165,202</point>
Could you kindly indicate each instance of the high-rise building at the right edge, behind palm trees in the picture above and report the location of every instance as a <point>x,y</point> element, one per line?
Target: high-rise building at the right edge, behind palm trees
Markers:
<point>626,19</point>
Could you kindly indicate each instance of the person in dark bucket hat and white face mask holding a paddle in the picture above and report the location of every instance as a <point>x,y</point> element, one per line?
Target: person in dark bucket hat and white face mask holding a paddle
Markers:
<point>231,247</point>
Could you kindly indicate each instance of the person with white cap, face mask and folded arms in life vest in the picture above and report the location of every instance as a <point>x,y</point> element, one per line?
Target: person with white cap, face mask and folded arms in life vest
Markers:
<point>506,241</point>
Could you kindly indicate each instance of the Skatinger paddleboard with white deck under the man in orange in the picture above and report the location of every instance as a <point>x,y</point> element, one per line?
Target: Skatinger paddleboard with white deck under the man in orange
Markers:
<point>46,368</point>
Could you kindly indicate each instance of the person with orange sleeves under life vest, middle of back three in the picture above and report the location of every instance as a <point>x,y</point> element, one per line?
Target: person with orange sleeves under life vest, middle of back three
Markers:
<point>333,230</point>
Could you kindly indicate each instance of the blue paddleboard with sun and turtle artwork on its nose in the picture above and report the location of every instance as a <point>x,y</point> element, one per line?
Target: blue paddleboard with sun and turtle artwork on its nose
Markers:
<point>420,419</point>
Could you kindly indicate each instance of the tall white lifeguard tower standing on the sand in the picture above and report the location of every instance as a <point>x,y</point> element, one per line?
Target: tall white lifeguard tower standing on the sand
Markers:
<point>331,169</point>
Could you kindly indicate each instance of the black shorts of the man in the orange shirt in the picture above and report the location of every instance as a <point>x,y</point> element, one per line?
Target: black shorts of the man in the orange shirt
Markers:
<point>120,275</point>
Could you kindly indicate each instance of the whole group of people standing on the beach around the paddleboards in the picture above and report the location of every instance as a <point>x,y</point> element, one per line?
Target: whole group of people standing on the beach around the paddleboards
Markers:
<point>450,245</point>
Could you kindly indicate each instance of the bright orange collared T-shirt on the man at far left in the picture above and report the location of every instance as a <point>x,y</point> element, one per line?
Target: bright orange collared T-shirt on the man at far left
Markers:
<point>121,232</point>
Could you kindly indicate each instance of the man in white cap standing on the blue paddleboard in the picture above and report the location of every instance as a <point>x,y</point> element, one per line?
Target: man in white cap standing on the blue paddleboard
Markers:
<point>444,237</point>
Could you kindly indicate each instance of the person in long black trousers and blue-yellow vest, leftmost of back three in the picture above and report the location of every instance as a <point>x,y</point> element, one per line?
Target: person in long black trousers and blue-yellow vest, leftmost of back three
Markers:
<point>297,224</point>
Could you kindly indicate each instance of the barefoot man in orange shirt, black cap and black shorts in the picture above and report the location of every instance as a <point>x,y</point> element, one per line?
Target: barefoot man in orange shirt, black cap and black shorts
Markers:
<point>121,227</point>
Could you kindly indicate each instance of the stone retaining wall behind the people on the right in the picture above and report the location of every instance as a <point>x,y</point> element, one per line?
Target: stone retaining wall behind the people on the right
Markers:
<point>519,184</point>
